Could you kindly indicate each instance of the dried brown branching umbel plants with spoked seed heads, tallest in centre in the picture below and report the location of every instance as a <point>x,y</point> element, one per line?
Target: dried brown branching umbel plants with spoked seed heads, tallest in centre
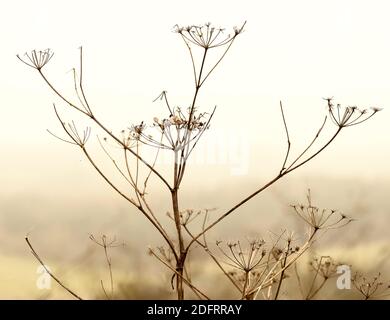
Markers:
<point>258,267</point>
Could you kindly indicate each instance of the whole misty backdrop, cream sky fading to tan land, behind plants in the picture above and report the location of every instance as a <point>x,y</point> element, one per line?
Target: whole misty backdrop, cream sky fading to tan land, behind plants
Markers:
<point>298,53</point>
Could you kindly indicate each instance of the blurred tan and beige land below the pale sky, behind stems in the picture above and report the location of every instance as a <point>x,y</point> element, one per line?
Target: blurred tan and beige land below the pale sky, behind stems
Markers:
<point>59,231</point>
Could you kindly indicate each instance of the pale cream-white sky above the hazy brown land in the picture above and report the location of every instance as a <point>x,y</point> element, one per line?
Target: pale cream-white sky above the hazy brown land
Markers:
<point>294,51</point>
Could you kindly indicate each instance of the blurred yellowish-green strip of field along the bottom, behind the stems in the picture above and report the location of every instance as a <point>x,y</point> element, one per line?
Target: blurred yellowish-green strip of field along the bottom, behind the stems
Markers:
<point>139,282</point>
